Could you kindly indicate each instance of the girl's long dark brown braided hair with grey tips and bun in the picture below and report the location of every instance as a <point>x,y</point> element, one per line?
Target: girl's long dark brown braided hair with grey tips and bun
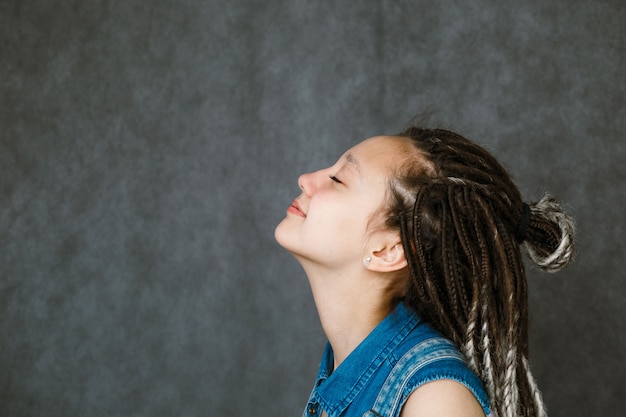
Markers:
<point>463,225</point>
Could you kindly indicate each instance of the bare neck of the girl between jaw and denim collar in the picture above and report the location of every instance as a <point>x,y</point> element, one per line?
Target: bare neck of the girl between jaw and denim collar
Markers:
<point>350,304</point>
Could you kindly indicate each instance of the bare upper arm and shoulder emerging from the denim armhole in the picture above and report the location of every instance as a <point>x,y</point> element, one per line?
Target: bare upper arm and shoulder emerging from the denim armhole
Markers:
<point>442,398</point>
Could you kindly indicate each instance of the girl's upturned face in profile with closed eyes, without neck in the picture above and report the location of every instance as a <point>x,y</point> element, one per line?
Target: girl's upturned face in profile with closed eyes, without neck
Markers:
<point>330,223</point>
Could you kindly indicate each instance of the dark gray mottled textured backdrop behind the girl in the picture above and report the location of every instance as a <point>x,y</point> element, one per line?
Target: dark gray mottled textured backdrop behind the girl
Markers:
<point>148,149</point>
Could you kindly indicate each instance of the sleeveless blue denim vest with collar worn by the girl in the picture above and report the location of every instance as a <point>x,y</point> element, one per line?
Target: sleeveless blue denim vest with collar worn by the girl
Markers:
<point>399,355</point>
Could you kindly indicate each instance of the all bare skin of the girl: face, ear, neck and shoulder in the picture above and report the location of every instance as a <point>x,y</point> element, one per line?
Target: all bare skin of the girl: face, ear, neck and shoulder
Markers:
<point>331,228</point>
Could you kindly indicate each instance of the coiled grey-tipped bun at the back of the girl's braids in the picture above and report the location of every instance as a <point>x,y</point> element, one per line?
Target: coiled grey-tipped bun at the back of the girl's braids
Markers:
<point>550,238</point>
